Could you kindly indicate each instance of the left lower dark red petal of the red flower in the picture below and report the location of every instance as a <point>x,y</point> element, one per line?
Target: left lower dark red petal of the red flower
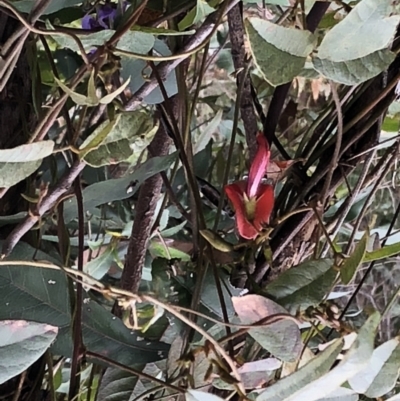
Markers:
<point>235,194</point>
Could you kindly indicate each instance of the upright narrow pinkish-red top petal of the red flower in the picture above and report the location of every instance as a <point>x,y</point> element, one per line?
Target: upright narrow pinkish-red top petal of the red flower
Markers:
<point>258,166</point>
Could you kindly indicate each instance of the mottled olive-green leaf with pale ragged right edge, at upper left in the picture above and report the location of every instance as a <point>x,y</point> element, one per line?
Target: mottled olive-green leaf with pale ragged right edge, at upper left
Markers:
<point>114,142</point>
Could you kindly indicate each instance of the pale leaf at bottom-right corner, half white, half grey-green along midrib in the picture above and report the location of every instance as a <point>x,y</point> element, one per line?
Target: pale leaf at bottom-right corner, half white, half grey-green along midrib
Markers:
<point>382,372</point>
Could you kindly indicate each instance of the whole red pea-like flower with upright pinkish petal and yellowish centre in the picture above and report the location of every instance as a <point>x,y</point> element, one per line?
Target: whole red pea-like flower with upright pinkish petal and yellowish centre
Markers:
<point>253,200</point>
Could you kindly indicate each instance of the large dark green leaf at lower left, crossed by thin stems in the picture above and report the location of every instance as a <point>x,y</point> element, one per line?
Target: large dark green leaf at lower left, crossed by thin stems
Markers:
<point>42,295</point>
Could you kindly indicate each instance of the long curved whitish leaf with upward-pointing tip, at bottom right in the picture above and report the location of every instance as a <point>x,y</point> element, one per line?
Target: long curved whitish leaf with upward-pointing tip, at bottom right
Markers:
<point>356,359</point>
